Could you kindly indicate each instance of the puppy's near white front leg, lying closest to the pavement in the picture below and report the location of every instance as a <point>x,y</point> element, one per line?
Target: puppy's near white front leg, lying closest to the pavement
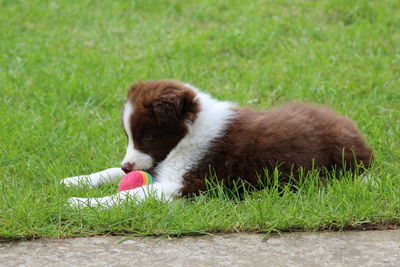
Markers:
<point>161,191</point>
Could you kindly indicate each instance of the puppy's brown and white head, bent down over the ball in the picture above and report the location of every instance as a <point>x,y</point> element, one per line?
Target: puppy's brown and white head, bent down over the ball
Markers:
<point>155,117</point>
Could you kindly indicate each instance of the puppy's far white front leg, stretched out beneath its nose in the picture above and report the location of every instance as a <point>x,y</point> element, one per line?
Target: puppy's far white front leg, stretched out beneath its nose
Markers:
<point>94,179</point>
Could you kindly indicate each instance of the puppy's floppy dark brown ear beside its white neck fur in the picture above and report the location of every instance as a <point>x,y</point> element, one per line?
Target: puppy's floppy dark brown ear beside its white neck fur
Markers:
<point>174,105</point>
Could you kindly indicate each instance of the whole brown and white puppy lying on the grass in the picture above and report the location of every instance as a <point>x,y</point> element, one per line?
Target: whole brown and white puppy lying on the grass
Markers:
<point>177,132</point>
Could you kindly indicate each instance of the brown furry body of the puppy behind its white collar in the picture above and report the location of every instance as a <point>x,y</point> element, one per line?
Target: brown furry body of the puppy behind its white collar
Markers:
<point>287,138</point>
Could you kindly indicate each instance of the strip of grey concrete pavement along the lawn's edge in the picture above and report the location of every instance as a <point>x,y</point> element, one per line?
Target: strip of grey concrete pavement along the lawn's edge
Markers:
<point>353,248</point>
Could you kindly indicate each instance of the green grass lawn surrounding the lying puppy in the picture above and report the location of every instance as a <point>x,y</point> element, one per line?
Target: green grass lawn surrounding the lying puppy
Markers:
<point>65,67</point>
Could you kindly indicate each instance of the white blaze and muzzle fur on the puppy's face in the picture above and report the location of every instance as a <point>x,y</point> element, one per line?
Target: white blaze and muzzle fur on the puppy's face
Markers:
<point>141,160</point>
